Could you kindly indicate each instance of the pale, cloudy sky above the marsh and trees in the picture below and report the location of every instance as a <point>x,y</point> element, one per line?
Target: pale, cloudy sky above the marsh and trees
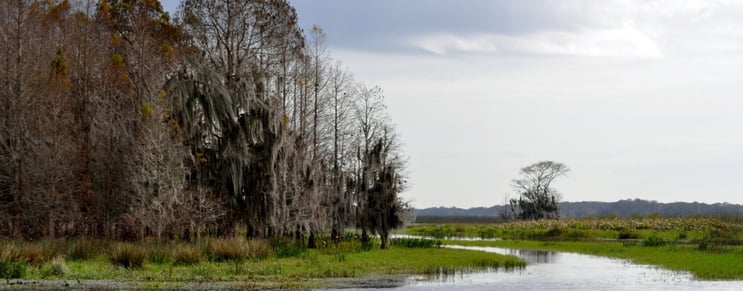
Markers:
<point>639,98</point>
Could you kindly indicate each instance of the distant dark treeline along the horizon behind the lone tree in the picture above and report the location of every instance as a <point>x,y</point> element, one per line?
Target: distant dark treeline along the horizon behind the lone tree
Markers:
<point>621,208</point>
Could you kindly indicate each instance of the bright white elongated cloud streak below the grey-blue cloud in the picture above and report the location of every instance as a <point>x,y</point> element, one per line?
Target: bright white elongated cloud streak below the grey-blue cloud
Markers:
<point>620,42</point>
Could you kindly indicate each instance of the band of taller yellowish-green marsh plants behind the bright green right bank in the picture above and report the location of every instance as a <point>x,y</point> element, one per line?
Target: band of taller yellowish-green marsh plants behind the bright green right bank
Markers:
<point>684,230</point>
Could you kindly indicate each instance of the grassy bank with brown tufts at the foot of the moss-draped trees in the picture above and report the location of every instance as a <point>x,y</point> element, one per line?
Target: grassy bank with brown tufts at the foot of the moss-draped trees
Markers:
<point>236,263</point>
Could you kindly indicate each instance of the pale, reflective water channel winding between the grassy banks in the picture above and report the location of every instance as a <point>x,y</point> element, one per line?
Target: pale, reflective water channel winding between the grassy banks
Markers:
<point>565,271</point>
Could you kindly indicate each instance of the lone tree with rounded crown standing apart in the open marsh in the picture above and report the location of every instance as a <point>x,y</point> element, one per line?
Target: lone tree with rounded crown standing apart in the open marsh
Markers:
<point>537,200</point>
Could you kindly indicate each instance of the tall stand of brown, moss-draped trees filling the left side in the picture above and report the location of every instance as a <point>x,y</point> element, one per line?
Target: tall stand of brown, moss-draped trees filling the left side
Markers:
<point>121,121</point>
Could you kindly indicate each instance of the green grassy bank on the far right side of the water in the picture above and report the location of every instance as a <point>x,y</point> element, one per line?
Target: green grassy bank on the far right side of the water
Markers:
<point>709,248</point>
